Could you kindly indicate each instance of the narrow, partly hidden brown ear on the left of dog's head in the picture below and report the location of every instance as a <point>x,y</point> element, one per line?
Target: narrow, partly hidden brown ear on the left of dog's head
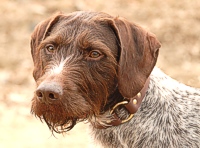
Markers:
<point>38,35</point>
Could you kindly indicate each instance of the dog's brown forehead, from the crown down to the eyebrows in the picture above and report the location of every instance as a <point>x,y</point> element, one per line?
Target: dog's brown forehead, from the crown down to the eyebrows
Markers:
<point>85,27</point>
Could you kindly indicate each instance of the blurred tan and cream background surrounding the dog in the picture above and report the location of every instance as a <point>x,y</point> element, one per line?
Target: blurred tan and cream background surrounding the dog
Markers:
<point>175,23</point>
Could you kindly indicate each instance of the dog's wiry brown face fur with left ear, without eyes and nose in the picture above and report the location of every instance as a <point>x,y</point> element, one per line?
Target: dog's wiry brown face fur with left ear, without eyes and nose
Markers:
<point>84,83</point>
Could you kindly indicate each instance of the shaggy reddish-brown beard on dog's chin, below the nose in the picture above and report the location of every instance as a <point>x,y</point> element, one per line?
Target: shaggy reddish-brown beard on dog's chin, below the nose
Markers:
<point>58,118</point>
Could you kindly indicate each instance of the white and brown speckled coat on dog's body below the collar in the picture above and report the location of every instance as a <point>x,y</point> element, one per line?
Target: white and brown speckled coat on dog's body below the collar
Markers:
<point>169,117</point>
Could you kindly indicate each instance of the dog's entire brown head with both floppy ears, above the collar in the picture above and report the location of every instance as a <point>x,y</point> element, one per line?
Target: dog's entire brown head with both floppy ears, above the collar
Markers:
<point>82,59</point>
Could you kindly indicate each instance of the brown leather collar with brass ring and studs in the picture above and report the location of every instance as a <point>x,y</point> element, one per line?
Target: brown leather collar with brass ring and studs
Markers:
<point>131,104</point>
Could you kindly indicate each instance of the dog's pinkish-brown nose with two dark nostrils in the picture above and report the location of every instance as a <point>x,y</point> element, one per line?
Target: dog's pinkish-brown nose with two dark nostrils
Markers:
<point>49,91</point>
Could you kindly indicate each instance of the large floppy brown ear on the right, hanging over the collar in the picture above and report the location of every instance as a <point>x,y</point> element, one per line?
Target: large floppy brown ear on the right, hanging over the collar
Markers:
<point>138,56</point>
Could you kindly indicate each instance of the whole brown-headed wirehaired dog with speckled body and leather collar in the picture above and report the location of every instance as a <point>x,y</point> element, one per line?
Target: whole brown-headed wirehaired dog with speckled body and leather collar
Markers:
<point>91,66</point>
